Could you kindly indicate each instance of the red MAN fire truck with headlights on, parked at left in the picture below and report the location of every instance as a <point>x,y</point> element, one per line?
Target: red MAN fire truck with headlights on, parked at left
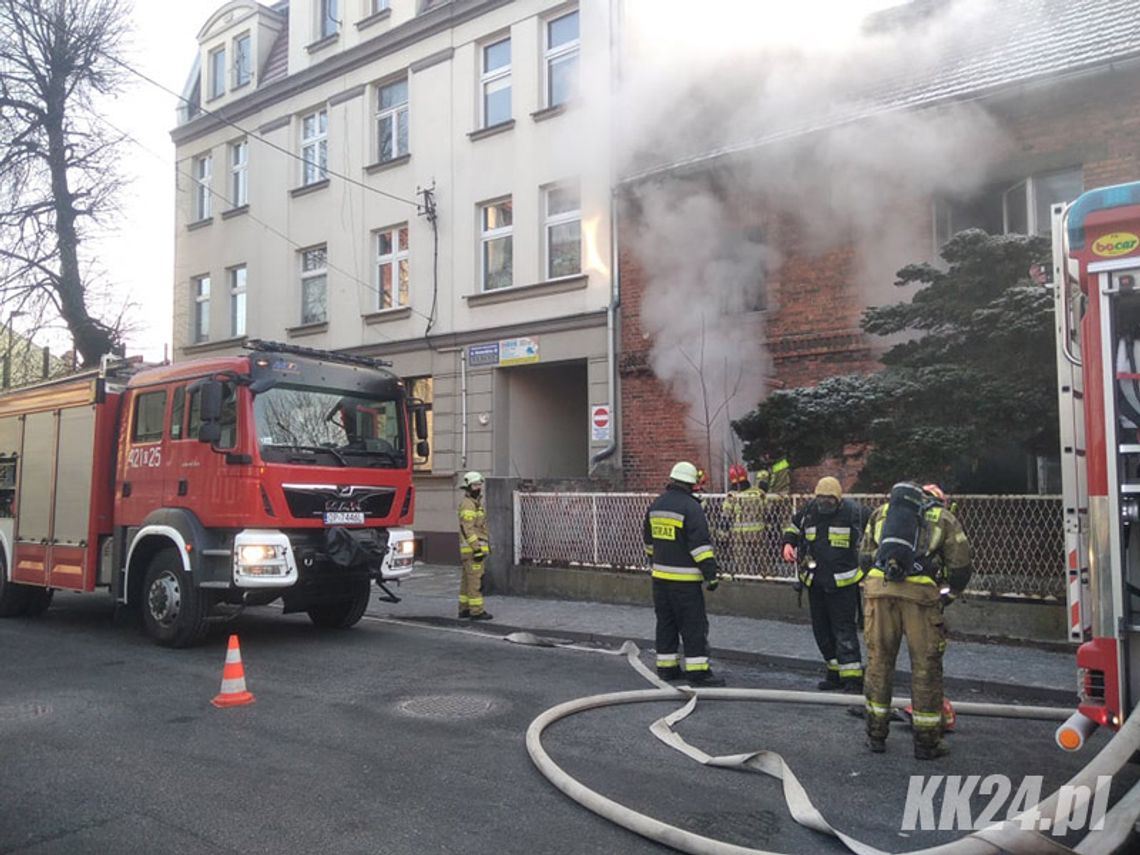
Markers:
<point>193,488</point>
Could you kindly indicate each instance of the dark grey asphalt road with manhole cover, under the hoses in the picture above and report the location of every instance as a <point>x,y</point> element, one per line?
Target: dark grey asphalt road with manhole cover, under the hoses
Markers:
<point>402,738</point>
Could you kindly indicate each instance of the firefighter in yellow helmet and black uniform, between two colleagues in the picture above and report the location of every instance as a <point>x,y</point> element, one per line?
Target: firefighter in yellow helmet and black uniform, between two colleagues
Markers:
<point>823,539</point>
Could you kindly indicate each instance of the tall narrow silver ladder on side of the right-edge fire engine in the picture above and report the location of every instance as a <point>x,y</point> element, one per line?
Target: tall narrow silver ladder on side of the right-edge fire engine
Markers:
<point>1071,406</point>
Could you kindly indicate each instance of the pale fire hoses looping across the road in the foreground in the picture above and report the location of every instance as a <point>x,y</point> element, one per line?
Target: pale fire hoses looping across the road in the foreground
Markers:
<point>1005,837</point>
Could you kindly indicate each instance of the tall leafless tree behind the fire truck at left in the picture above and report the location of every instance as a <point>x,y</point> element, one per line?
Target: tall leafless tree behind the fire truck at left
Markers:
<point>59,177</point>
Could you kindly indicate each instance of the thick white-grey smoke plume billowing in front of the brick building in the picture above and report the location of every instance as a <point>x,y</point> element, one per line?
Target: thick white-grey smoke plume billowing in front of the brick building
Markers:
<point>791,99</point>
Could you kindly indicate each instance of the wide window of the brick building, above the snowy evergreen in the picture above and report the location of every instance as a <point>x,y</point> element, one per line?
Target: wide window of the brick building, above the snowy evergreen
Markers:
<point>1021,207</point>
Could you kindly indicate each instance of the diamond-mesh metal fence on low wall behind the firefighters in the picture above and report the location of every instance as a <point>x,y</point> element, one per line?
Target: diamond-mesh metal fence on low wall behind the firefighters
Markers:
<point>1019,541</point>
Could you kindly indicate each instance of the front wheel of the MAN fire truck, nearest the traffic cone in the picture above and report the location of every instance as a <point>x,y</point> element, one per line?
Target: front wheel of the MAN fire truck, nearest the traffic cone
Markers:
<point>175,612</point>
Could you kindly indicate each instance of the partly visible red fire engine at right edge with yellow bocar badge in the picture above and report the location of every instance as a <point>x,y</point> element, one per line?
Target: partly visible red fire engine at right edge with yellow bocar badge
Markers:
<point>1096,271</point>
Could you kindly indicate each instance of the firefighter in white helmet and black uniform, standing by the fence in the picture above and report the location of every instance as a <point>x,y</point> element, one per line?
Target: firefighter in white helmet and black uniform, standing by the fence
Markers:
<point>677,536</point>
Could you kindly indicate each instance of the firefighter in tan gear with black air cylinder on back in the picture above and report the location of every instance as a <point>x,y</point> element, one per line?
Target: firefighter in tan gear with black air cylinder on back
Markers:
<point>918,561</point>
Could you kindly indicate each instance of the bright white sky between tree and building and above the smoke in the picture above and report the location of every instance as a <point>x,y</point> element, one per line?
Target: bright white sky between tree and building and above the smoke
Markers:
<point>140,259</point>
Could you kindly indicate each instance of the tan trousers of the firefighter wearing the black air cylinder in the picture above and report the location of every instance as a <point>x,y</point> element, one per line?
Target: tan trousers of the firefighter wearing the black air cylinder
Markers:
<point>892,612</point>
